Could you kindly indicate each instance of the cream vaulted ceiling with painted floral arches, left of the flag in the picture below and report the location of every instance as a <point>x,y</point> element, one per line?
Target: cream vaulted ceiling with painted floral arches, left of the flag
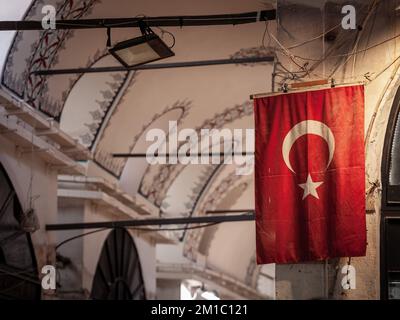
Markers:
<point>111,112</point>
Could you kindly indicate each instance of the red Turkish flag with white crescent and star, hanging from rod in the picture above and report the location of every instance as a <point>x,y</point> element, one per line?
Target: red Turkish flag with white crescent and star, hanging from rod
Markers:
<point>310,175</point>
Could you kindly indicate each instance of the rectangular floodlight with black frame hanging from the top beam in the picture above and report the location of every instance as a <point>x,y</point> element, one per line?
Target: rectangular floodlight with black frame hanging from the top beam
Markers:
<point>146,48</point>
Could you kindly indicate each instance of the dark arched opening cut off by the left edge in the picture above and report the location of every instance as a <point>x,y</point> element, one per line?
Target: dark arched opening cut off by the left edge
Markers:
<point>18,268</point>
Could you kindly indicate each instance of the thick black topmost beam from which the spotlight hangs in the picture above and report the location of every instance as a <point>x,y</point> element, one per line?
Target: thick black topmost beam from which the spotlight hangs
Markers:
<point>166,21</point>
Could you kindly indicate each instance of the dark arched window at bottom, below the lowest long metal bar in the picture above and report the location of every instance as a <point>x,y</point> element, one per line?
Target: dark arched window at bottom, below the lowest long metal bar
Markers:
<point>118,275</point>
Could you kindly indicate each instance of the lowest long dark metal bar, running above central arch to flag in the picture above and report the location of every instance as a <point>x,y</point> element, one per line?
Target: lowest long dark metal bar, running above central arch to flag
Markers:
<point>151,222</point>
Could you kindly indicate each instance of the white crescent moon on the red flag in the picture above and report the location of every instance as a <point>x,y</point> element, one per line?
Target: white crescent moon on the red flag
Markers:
<point>308,127</point>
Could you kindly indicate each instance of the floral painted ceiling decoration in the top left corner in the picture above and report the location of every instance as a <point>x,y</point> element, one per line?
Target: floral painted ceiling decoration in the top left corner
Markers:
<point>44,47</point>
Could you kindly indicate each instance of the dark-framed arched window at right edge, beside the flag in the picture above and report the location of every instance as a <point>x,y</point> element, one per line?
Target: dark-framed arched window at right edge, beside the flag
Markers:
<point>390,221</point>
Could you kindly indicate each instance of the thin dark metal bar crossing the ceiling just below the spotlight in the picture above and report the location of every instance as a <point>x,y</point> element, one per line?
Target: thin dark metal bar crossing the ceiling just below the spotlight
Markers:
<point>156,66</point>
